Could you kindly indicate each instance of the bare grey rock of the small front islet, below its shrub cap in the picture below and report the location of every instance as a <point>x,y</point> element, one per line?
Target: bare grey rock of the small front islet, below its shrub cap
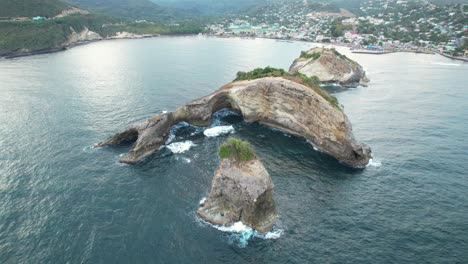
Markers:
<point>241,192</point>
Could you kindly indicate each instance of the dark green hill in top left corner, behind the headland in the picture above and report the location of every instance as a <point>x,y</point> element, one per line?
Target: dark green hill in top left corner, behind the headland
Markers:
<point>31,8</point>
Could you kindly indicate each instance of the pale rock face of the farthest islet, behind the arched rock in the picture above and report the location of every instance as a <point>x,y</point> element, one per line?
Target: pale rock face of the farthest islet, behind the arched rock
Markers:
<point>330,67</point>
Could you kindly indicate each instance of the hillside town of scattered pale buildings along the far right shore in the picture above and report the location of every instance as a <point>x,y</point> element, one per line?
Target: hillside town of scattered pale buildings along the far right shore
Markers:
<point>382,26</point>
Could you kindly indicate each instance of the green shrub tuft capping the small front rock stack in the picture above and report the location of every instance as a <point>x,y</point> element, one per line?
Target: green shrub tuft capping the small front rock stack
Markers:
<point>237,150</point>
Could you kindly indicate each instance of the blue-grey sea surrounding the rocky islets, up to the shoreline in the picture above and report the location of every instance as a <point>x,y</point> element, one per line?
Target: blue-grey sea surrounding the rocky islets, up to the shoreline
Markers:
<point>61,201</point>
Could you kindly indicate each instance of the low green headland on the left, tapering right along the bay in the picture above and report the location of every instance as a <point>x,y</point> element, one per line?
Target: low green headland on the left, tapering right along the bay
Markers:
<point>29,37</point>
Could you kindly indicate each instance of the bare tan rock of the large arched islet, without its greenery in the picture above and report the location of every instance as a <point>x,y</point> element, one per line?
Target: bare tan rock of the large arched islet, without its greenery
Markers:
<point>275,102</point>
